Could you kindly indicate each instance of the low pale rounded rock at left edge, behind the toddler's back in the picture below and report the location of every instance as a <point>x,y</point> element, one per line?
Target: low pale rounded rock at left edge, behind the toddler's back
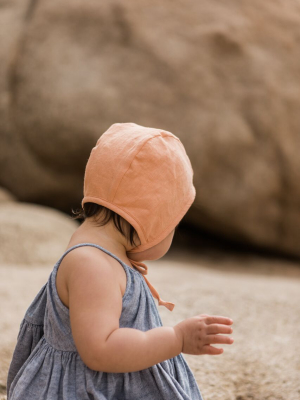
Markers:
<point>31,234</point>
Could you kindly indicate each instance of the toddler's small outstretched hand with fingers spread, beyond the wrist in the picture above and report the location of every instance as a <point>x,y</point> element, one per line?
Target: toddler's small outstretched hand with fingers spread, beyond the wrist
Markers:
<point>199,332</point>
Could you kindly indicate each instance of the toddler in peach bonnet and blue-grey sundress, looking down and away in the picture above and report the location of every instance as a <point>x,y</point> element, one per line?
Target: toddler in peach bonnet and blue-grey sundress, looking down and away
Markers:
<point>93,331</point>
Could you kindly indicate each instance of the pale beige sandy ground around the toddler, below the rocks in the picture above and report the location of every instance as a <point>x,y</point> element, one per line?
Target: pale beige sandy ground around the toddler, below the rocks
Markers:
<point>261,295</point>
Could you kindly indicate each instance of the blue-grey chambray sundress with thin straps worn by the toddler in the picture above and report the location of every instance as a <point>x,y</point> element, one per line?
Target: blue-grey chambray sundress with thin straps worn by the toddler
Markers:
<point>46,365</point>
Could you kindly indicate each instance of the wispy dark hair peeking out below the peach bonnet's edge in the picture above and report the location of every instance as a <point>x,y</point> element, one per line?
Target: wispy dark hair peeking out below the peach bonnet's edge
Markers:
<point>102,216</point>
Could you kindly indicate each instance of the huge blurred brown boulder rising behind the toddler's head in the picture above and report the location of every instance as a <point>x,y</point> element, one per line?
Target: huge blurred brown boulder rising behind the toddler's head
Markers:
<point>222,76</point>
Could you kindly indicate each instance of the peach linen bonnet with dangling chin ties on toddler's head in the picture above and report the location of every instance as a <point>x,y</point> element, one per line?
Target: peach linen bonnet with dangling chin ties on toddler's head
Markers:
<point>145,176</point>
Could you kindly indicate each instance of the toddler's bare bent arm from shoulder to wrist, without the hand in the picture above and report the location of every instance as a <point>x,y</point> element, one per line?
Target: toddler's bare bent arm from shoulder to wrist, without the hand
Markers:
<point>95,306</point>
